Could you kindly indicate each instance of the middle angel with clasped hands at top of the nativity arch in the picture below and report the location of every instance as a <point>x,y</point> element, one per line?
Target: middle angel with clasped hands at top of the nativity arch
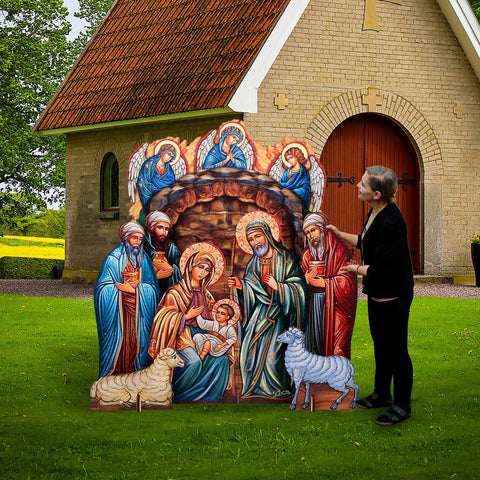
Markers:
<point>227,147</point>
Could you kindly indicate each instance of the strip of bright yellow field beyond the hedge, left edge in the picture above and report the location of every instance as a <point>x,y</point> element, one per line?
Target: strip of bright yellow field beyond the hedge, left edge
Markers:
<point>32,247</point>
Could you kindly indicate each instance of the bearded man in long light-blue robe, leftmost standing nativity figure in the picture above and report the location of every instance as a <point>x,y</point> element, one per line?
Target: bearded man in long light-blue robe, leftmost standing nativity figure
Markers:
<point>126,296</point>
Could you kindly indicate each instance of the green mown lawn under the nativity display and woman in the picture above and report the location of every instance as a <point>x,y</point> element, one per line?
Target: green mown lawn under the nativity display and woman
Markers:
<point>49,361</point>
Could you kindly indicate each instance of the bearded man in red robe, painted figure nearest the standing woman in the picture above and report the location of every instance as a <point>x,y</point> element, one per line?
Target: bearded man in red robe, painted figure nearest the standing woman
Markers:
<point>333,291</point>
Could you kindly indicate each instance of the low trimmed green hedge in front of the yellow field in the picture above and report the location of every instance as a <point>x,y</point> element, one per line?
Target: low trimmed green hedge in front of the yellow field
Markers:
<point>33,268</point>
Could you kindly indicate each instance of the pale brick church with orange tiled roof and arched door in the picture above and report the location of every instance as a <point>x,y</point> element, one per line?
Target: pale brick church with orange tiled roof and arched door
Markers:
<point>363,82</point>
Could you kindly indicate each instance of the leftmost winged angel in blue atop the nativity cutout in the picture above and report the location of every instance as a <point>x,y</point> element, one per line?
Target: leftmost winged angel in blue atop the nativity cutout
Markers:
<point>153,167</point>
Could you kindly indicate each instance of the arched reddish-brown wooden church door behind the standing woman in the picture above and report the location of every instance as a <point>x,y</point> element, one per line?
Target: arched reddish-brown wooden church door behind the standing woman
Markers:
<point>360,142</point>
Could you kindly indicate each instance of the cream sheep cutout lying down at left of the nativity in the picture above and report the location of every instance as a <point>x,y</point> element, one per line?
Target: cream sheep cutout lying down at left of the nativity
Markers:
<point>150,386</point>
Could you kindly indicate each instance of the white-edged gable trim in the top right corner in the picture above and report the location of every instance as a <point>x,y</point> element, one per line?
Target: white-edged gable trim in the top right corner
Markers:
<point>465,25</point>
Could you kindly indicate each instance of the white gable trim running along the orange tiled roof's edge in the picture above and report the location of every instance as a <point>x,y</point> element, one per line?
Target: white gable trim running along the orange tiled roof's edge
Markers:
<point>245,97</point>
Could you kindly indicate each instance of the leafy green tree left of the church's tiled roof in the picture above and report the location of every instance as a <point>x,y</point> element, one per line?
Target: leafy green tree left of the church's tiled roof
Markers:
<point>34,57</point>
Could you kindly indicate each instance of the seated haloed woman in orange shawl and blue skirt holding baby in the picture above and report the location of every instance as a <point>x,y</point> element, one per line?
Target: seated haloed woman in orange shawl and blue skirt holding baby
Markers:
<point>175,323</point>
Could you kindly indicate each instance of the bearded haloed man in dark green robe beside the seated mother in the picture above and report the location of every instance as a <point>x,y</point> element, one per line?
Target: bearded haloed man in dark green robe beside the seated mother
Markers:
<point>273,298</point>
